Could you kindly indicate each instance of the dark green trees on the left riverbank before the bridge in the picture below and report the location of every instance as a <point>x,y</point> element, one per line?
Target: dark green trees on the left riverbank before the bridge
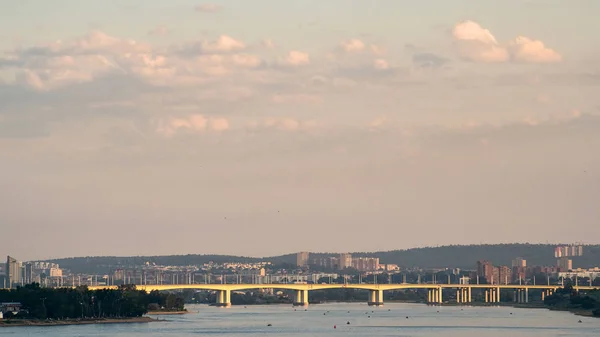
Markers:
<point>80,302</point>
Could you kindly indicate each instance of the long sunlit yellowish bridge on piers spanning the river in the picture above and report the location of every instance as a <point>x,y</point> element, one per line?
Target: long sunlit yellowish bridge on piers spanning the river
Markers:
<point>491,292</point>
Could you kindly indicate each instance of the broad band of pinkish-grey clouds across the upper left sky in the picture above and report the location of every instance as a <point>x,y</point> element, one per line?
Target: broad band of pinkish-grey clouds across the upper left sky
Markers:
<point>97,54</point>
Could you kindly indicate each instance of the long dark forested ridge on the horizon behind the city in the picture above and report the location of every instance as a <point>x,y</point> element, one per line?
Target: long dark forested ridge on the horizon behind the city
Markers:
<point>464,257</point>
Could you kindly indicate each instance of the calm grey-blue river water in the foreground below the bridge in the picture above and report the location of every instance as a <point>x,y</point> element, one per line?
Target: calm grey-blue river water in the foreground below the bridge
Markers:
<point>319,320</point>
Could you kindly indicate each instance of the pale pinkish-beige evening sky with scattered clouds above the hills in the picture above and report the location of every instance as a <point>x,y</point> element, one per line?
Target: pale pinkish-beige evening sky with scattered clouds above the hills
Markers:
<point>257,128</point>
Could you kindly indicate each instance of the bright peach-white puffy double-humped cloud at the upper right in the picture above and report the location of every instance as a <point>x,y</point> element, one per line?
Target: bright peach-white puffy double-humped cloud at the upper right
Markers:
<point>477,44</point>
